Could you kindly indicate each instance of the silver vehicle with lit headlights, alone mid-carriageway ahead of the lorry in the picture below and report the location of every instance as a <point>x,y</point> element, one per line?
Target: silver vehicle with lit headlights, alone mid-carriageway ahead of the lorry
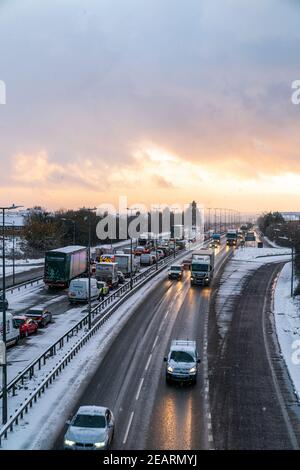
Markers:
<point>182,362</point>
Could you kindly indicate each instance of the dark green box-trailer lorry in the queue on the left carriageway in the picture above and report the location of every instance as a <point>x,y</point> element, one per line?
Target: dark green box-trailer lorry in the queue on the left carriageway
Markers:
<point>64,264</point>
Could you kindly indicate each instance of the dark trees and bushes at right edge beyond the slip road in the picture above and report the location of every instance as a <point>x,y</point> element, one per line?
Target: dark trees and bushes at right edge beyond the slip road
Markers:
<point>283,233</point>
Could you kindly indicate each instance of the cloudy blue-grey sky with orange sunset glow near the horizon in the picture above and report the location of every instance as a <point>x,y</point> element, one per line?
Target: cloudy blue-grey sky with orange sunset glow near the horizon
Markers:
<point>162,102</point>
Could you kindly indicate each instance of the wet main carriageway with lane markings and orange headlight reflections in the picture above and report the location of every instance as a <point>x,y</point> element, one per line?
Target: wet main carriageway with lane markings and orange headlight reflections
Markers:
<point>131,378</point>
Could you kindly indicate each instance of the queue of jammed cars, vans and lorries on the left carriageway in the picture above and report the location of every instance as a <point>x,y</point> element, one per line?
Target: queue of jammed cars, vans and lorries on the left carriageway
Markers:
<point>66,273</point>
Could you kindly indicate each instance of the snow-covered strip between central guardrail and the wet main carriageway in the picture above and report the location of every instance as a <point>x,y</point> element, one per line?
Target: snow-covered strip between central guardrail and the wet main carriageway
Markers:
<point>40,427</point>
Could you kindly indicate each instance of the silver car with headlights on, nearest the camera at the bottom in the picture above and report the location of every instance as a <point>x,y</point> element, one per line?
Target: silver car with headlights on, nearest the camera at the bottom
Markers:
<point>92,428</point>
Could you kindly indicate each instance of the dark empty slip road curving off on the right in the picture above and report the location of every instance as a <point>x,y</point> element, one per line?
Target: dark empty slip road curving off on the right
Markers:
<point>252,402</point>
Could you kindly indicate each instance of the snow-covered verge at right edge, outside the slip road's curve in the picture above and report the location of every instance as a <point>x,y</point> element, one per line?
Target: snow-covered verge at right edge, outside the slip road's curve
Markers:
<point>287,320</point>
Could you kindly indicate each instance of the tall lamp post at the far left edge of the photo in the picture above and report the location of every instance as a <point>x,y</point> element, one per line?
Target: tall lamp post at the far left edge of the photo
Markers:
<point>4,366</point>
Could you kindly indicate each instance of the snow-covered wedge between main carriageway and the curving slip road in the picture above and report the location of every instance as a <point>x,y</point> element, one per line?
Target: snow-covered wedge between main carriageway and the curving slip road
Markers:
<point>238,269</point>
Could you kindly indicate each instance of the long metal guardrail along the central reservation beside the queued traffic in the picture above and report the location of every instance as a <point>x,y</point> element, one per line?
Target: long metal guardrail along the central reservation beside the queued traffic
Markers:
<point>139,281</point>
